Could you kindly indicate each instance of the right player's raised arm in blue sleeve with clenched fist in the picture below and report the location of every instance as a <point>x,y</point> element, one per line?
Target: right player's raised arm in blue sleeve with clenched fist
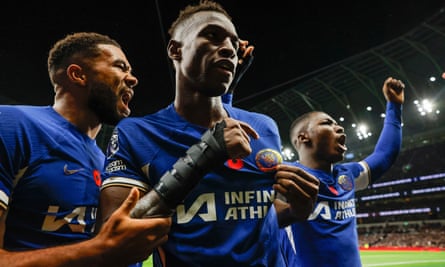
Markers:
<point>389,143</point>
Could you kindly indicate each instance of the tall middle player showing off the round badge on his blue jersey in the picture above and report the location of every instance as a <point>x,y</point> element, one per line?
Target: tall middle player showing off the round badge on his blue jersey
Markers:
<point>232,217</point>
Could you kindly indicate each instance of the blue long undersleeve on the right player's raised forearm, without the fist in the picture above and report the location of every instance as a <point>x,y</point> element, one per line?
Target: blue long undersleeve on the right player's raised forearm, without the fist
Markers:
<point>389,143</point>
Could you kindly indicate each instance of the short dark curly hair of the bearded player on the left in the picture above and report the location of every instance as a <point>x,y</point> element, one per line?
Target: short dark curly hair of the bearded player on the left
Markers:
<point>79,43</point>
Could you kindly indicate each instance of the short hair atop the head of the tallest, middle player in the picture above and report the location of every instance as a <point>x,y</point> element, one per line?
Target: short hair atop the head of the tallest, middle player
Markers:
<point>188,11</point>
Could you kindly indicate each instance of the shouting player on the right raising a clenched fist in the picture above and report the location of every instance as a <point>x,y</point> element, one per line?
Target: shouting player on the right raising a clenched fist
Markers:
<point>329,236</point>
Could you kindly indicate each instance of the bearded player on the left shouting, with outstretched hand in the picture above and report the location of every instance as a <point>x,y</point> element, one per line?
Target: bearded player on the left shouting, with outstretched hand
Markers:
<point>50,165</point>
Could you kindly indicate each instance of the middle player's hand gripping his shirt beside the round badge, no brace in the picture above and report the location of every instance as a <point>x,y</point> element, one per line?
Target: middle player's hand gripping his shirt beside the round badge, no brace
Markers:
<point>300,189</point>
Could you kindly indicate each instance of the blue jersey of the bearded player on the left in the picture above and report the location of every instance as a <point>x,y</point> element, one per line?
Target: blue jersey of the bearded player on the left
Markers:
<point>49,178</point>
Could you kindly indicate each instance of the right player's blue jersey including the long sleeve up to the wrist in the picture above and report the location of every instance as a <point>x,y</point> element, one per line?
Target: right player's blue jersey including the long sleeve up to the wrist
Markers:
<point>329,236</point>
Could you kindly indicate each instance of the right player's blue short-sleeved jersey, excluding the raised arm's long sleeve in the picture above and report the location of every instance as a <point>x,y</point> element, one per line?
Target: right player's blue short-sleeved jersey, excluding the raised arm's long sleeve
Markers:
<point>329,236</point>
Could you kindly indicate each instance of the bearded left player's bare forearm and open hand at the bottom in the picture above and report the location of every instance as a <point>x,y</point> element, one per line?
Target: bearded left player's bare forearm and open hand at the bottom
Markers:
<point>121,241</point>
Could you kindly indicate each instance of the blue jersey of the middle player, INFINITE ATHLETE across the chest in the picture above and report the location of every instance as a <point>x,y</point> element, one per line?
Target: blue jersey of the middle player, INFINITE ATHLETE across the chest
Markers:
<point>225,219</point>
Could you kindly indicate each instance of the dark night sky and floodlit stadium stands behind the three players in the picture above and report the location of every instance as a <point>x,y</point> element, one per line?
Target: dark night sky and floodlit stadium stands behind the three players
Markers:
<point>307,57</point>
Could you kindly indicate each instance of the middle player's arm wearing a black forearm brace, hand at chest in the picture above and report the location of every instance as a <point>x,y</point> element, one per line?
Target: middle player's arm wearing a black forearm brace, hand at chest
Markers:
<point>229,139</point>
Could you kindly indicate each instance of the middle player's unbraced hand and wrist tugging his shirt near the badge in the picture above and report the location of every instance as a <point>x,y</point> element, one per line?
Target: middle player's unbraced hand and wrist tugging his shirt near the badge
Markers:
<point>299,189</point>
